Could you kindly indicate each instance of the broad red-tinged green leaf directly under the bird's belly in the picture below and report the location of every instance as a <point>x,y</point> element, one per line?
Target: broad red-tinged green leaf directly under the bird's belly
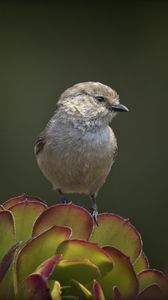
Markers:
<point>69,215</point>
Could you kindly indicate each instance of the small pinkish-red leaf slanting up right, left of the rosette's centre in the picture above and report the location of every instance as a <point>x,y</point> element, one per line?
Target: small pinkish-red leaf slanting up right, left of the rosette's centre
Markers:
<point>48,266</point>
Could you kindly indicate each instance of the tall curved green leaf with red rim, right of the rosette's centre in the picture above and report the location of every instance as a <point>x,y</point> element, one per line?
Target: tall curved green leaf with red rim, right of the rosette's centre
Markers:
<point>121,276</point>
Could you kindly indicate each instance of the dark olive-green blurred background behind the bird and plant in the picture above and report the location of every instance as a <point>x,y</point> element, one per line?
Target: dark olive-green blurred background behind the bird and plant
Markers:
<point>45,48</point>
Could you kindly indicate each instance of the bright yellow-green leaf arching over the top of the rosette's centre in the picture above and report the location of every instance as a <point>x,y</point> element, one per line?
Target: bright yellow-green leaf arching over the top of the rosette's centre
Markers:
<point>78,249</point>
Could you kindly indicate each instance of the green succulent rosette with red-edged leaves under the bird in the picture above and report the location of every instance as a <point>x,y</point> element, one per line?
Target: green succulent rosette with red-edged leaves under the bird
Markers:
<point>58,253</point>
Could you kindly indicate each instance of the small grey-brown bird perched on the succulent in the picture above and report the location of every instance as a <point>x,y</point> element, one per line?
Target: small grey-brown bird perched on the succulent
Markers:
<point>77,148</point>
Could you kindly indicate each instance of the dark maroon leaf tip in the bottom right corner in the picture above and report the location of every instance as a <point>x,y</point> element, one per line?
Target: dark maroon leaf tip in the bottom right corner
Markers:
<point>152,292</point>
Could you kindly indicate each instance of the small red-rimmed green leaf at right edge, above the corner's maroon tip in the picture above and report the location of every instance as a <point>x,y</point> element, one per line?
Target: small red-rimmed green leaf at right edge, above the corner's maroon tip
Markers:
<point>151,277</point>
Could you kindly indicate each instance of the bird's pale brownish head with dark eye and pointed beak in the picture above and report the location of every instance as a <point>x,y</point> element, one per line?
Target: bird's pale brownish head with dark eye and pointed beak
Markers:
<point>91,102</point>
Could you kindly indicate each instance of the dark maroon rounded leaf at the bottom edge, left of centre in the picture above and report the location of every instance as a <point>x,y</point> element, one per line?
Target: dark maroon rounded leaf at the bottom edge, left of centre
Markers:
<point>34,287</point>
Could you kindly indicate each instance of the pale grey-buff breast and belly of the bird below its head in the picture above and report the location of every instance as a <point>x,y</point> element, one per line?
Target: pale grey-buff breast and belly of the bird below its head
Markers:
<point>79,161</point>
